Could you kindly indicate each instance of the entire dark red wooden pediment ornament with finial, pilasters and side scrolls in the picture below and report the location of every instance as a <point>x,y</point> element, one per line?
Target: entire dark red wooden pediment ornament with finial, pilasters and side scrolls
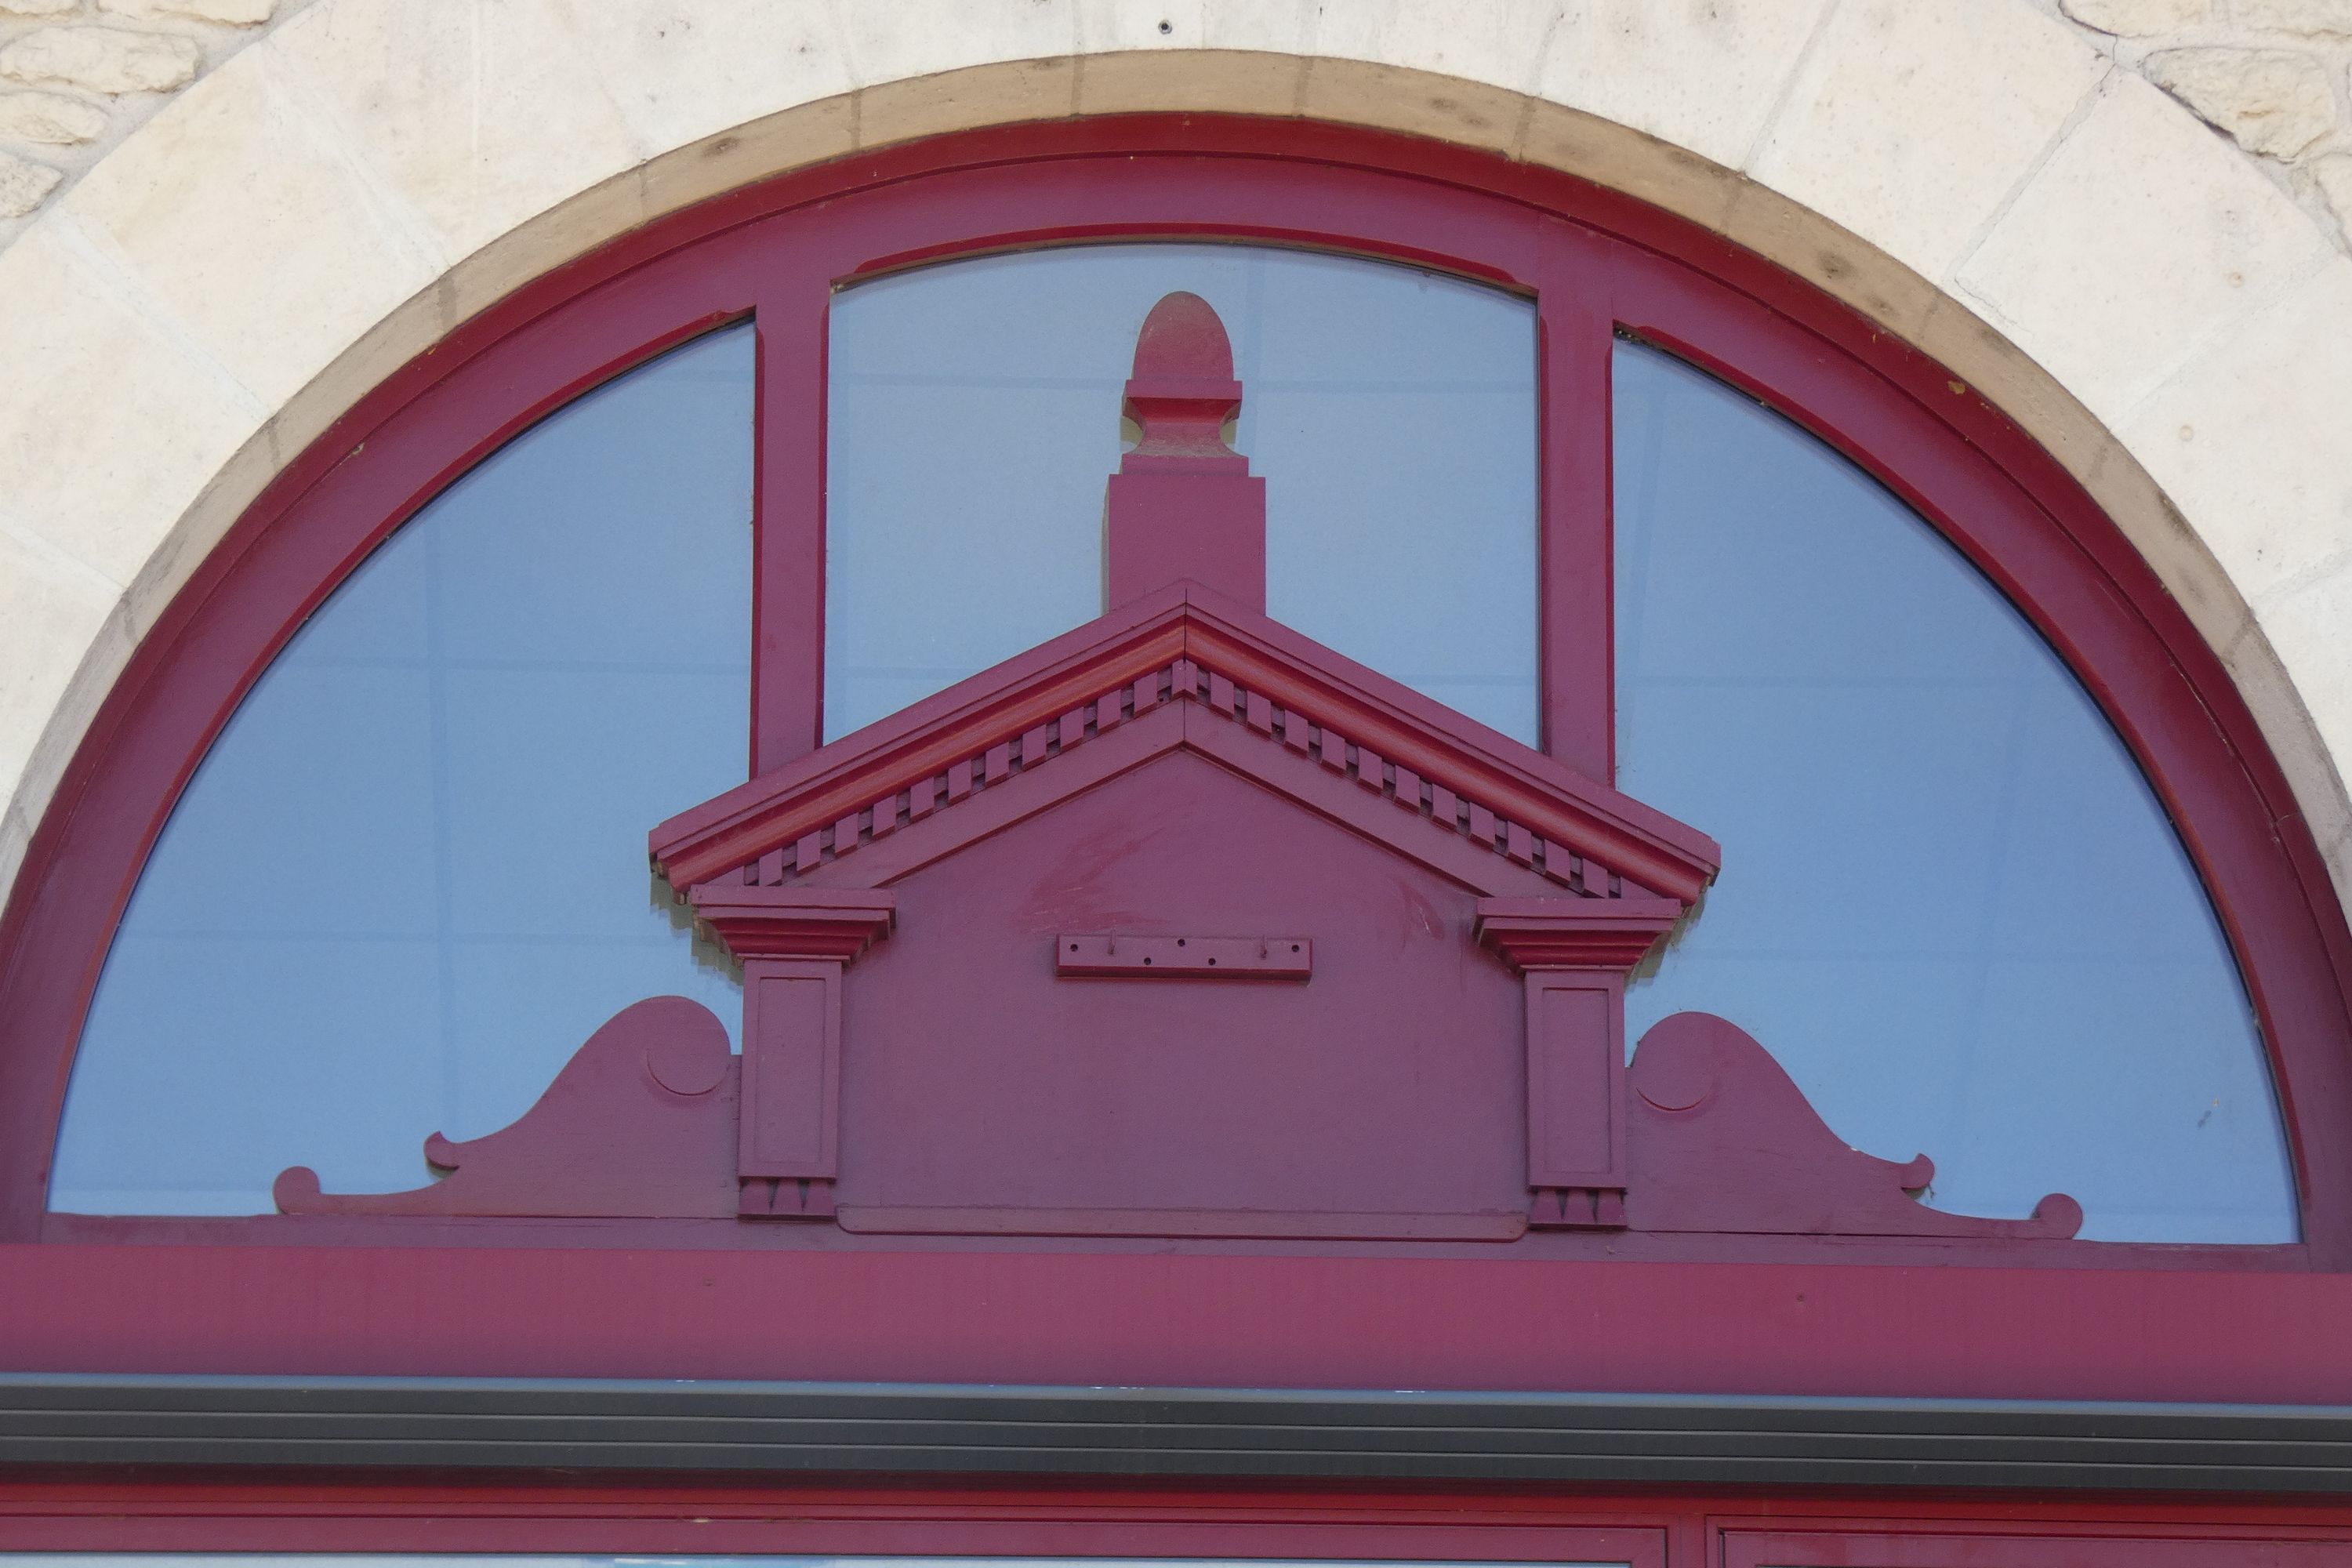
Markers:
<point>1182,925</point>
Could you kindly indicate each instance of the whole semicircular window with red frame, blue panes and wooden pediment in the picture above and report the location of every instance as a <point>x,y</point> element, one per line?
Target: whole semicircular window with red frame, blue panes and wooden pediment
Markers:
<point>1641,758</point>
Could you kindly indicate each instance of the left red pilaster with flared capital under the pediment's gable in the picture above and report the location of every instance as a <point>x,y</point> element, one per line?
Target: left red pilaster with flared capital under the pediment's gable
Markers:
<point>794,944</point>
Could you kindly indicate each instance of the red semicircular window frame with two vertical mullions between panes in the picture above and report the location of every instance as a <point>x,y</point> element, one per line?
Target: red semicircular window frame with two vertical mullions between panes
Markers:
<point>1591,260</point>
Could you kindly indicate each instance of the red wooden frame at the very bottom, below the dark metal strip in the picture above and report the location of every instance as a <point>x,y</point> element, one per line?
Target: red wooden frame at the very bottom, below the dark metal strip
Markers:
<point>1271,1522</point>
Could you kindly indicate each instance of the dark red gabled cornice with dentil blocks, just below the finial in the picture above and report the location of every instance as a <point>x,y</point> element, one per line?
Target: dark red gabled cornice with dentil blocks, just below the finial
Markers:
<point>1184,671</point>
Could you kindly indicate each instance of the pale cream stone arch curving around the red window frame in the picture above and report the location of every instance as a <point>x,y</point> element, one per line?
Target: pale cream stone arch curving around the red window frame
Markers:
<point>335,199</point>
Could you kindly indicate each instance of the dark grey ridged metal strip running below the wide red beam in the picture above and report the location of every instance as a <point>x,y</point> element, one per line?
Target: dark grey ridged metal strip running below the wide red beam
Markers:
<point>831,1428</point>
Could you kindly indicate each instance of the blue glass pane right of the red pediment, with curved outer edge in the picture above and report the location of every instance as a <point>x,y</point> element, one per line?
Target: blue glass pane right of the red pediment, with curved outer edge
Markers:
<point>1951,904</point>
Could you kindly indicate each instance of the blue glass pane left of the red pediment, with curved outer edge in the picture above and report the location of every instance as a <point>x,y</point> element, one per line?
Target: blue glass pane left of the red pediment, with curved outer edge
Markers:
<point>410,876</point>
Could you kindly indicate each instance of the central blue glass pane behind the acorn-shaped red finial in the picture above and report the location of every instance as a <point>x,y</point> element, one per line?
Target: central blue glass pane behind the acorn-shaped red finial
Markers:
<point>975,417</point>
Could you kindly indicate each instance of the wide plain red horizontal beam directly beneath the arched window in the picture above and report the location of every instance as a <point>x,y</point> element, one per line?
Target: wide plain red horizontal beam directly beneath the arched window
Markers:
<point>1182,1320</point>
